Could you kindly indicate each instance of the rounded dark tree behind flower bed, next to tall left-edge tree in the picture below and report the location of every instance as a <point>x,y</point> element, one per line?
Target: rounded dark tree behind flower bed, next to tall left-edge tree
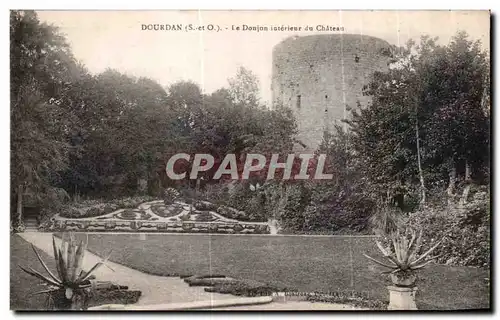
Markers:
<point>125,125</point>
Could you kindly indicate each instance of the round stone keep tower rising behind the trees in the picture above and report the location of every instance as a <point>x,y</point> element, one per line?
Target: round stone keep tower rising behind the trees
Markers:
<point>320,77</point>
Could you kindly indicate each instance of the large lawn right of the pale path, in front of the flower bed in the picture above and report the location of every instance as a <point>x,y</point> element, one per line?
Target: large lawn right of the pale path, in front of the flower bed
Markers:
<point>306,264</point>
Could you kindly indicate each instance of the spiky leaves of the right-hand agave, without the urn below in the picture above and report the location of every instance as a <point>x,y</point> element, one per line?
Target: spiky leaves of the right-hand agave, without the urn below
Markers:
<point>404,257</point>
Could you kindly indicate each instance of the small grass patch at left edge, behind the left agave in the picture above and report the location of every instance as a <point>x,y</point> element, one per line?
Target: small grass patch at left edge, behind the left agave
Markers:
<point>22,284</point>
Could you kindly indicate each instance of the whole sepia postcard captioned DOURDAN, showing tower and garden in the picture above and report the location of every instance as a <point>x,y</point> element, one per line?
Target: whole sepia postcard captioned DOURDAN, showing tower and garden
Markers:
<point>250,160</point>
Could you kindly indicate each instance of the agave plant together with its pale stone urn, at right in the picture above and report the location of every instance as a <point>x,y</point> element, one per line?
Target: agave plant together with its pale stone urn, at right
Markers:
<point>404,259</point>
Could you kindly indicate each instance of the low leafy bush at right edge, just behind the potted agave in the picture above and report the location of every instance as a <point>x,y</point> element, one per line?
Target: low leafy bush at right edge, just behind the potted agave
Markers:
<point>465,232</point>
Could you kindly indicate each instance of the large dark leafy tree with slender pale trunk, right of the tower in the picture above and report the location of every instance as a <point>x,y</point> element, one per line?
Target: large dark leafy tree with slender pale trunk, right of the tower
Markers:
<point>426,121</point>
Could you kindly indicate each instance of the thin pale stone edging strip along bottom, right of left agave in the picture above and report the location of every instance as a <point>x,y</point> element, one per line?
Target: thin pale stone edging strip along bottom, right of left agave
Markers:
<point>188,305</point>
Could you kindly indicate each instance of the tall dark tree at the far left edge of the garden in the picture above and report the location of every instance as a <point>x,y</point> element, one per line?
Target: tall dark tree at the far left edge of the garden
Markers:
<point>42,69</point>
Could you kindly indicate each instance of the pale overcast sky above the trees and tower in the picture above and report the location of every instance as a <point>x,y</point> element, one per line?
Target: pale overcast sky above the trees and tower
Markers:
<point>114,39</point>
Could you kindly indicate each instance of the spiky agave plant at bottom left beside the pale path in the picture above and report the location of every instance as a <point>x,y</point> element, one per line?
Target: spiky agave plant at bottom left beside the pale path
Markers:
<point>71,288</point>
